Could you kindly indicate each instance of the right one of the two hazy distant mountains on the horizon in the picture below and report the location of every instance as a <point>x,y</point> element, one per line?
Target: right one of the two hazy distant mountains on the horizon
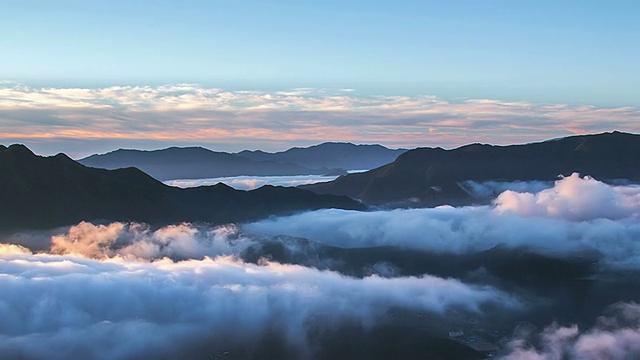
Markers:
<point>331,155</point>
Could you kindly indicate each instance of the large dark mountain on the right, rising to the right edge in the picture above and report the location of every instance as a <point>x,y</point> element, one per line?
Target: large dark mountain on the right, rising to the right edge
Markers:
<point>431,176</point>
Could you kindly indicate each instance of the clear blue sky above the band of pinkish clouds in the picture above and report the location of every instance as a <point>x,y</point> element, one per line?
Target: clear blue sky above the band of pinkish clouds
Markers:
<point>549,52</point>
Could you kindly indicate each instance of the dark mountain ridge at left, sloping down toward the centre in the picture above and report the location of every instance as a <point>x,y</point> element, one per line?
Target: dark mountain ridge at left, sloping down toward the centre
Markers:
<point>41,192</point>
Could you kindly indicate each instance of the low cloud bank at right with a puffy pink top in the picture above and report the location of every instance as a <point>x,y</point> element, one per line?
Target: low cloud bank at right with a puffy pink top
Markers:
<point>576,216</point>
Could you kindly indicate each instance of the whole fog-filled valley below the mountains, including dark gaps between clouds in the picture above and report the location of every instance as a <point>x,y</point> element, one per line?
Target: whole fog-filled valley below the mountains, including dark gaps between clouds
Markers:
<point>551,268</point>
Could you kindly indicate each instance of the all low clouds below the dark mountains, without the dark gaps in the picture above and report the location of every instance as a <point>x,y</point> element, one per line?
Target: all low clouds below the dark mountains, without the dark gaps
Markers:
<point>127,290</point>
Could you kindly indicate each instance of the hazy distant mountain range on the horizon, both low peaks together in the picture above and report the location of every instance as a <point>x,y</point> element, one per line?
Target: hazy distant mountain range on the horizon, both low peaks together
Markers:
<point>199,163</point>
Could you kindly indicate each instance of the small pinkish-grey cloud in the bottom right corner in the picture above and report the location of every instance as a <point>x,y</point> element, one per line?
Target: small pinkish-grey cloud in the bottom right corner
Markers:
<point>615,336</point>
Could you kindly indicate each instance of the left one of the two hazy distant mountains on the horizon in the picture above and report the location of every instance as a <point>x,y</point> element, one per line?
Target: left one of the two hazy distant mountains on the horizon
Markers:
<point>196,163</point>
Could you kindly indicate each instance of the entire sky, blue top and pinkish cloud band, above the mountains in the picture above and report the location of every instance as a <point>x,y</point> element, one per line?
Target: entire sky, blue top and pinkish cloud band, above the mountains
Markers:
<point>85,76</point>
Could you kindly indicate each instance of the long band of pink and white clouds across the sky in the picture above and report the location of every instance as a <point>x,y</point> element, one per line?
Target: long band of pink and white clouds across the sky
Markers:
<point>192,114</point>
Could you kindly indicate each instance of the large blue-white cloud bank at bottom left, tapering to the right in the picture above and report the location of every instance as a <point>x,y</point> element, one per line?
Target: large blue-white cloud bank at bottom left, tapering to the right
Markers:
<point>69,306</point>
